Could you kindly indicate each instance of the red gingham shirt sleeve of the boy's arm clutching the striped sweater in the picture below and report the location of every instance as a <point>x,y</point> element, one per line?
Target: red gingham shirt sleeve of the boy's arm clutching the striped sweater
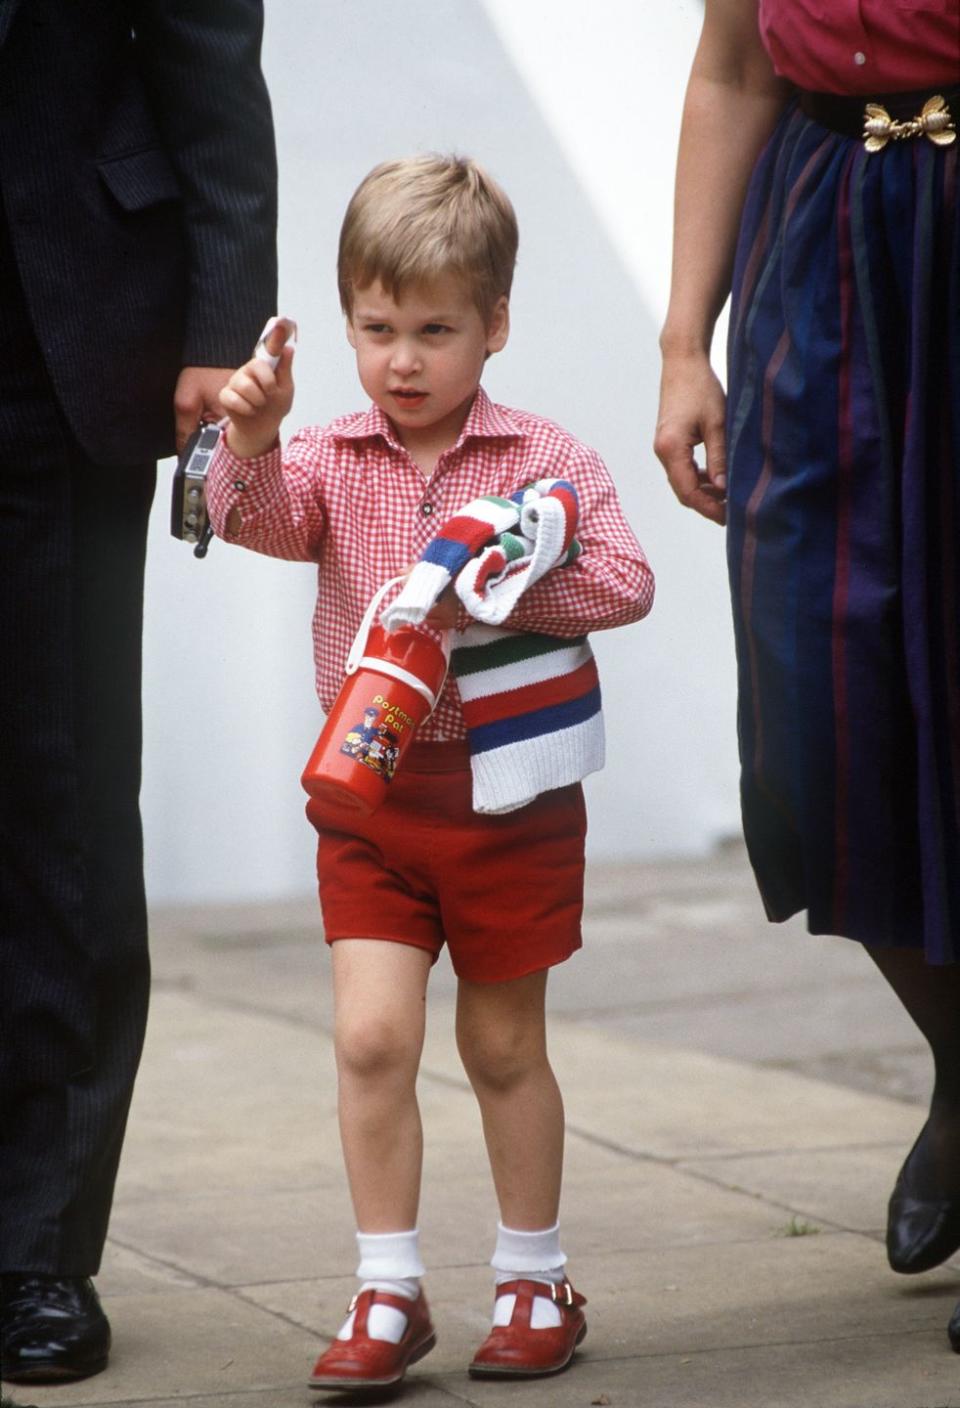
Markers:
<point>610,584</point>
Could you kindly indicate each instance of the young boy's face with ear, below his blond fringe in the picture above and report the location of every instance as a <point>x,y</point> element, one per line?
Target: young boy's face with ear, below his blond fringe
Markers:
<point>420,360</point>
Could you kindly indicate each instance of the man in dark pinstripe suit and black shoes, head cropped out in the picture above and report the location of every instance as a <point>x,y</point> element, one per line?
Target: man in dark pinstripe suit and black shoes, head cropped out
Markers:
<point>137,261</point>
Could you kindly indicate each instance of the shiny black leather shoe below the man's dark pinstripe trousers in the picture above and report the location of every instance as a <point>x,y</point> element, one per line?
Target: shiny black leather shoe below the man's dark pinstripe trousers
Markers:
<point>53,1328</point>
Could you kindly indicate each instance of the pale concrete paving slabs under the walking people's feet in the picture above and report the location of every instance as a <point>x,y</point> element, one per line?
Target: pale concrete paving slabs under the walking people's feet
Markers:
<point>738,1096</point>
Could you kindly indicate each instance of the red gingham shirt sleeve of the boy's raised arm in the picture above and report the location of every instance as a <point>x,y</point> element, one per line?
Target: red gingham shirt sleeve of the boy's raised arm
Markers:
<point>271,503</point>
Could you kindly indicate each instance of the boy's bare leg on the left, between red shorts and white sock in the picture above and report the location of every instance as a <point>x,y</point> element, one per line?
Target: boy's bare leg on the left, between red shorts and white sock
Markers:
<point>379,1003</point>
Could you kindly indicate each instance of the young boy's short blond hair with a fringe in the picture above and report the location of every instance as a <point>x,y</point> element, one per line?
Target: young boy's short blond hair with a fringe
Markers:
<point>416,220</point>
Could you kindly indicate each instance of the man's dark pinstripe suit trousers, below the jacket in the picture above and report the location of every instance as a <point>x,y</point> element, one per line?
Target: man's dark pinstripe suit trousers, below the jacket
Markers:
<point>74,962</point>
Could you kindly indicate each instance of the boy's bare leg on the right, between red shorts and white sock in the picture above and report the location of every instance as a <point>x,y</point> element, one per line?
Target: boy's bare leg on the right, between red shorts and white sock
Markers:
<point>502,1037</point>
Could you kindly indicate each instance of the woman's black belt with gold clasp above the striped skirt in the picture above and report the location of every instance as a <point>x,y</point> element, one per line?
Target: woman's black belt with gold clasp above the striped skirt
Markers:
<point>889,118</point>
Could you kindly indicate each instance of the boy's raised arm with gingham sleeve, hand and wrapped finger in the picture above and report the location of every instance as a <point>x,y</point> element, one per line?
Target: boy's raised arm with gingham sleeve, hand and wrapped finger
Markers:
<point>255,496</point>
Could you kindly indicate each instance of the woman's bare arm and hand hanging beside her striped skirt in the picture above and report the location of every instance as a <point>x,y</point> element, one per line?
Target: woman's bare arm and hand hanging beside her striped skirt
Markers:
<point>734,101</point>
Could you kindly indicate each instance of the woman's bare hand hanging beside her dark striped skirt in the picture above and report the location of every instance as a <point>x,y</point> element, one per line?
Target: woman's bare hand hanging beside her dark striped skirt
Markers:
<point>693,413</point>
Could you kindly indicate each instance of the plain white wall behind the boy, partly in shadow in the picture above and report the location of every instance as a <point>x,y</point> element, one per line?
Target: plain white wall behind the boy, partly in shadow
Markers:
<point>575,111</point>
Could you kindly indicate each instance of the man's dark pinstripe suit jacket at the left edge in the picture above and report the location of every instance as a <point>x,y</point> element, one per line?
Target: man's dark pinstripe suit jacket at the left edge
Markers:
<point>139,177</point>
